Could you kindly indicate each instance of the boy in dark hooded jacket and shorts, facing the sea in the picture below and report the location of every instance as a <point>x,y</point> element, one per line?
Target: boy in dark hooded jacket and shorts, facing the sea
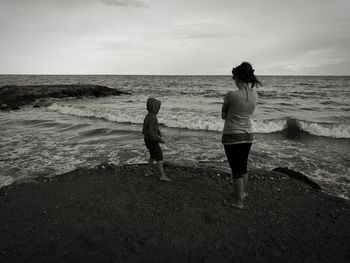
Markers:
<point>152,136</point>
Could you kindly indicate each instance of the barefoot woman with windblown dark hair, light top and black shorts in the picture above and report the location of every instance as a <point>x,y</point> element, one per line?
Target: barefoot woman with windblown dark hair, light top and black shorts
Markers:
<point>237,135</point>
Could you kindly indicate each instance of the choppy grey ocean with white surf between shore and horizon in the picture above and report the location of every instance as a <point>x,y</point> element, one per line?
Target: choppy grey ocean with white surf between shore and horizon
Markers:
<point>84,132</point>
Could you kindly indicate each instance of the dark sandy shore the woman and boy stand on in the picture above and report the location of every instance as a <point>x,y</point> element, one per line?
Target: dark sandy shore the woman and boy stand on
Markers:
<point>118,215</point>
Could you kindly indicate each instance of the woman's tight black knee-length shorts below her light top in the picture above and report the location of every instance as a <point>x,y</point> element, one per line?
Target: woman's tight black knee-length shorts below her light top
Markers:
<point>237,156</point>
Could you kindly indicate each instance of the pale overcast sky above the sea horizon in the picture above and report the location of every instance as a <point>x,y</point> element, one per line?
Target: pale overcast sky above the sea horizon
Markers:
<point>279,37</point>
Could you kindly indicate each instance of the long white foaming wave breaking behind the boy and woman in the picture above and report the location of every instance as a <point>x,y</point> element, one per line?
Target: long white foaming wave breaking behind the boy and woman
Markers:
<point>197,121</point>
